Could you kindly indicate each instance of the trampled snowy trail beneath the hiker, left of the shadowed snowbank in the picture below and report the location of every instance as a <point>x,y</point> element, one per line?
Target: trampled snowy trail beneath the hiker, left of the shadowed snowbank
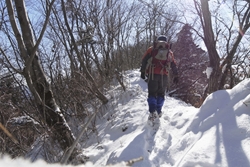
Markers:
<point>139,140</point>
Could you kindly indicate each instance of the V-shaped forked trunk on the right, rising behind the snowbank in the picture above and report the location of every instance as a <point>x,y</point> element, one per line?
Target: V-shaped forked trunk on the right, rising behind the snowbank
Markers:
<point>218,77</point>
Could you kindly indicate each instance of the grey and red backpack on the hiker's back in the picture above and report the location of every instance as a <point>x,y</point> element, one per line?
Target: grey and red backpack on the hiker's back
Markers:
<point>160,60</point>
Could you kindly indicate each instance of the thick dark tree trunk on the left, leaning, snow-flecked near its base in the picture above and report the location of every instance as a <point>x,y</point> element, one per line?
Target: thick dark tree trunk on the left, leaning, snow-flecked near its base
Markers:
<point>35,77</point>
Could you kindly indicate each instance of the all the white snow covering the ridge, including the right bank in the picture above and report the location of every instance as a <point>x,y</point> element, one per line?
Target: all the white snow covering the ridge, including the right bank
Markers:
<point>215,135</point>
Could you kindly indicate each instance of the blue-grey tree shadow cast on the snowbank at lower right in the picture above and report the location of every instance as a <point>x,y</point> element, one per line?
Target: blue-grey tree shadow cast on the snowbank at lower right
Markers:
<point>228,134</point>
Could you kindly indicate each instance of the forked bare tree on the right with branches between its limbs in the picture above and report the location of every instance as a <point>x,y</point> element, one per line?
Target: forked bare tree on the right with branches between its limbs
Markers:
<point>213,34</point>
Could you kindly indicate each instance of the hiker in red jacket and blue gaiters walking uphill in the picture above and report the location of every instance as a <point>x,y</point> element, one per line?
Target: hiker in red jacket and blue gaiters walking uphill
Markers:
<point>156,64</point>
